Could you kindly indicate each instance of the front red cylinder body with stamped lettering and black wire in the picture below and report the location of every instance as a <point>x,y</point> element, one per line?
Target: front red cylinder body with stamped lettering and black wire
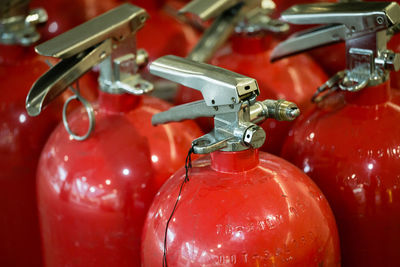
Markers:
<point>241,210</point>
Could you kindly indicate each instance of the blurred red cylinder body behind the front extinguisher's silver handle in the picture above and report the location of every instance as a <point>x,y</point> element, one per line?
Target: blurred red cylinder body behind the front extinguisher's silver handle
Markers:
<point>294,79</point>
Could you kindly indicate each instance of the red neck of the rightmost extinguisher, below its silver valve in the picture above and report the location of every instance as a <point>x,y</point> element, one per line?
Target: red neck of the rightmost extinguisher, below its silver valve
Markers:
<point>371,95</point>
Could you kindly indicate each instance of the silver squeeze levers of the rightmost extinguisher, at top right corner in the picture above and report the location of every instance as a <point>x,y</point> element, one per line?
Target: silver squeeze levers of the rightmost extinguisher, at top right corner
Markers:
<point>343,22</point>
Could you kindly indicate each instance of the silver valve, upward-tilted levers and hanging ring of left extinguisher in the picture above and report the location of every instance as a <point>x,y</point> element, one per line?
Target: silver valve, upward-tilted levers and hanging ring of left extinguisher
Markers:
<point>108,39</point>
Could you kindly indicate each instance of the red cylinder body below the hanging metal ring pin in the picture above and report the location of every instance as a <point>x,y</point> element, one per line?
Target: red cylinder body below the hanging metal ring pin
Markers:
<point>94,195</point>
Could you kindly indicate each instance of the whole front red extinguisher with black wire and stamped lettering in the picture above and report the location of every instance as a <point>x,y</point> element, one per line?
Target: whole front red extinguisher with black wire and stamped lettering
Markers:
<point>237,206</point>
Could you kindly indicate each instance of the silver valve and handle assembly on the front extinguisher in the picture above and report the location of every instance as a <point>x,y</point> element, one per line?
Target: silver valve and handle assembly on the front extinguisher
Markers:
<point>228,97</point>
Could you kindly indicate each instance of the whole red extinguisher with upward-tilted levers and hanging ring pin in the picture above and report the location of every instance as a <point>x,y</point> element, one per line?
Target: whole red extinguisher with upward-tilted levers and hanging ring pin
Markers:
<point>94,188</point>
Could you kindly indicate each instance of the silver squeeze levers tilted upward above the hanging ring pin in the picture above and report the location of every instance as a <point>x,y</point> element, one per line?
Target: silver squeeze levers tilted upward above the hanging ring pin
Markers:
<point>82,48</point>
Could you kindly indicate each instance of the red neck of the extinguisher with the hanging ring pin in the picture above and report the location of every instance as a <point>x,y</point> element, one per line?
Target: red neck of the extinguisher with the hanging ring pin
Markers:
<point>118,103</point>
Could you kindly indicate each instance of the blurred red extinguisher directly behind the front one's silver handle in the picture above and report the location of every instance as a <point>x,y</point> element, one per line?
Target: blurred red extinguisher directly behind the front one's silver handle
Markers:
<point>248,52</point>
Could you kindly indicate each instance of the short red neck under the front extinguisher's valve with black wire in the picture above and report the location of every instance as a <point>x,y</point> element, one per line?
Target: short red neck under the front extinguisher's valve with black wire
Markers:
<point>239,161</point>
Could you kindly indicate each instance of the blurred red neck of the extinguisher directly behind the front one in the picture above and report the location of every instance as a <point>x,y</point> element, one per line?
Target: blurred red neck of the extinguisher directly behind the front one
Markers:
<point>251,44</point>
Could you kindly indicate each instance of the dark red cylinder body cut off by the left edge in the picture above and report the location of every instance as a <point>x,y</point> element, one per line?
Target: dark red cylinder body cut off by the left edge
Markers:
<point>21,141</point>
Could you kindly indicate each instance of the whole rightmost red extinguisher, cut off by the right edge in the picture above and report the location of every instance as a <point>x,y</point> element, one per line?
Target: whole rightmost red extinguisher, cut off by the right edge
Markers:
<point>349,143</point>
